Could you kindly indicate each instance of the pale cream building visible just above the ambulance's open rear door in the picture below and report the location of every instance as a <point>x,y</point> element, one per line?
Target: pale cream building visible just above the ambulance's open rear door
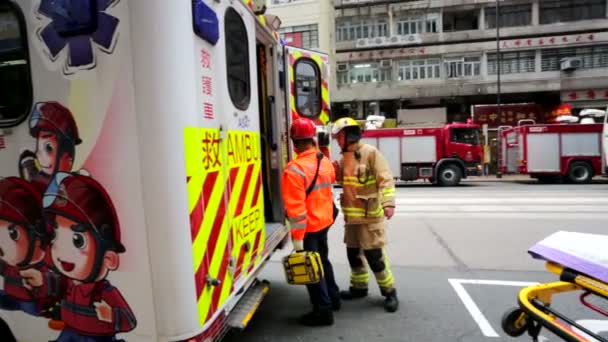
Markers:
<point>305,23</point>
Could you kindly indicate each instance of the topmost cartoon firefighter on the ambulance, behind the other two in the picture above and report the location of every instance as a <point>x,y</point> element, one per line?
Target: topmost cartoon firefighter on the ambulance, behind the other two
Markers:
<point>56,133</point>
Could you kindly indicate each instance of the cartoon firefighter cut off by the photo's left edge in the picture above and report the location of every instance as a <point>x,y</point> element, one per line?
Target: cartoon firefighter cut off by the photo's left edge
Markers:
<point>24,238</point>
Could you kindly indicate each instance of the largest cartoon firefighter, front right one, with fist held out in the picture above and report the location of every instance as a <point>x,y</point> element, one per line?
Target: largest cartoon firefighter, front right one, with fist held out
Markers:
<point>84,251</point>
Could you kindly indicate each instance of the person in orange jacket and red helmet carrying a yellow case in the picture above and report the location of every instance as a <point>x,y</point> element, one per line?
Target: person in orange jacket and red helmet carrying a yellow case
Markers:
<point>311,216</point>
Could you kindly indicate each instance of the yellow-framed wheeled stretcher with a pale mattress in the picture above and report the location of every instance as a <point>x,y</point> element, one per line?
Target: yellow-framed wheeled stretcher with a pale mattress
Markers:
<point>581,262</point>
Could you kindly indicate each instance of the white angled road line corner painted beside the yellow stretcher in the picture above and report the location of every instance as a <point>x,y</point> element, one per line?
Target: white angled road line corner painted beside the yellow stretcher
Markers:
<point>474,311</point>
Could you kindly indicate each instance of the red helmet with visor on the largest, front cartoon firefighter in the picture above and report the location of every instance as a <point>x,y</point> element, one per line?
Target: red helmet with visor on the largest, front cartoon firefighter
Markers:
<point>83,200</point>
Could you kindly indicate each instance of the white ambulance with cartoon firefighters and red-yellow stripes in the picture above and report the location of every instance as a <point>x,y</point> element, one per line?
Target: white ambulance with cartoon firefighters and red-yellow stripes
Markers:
<point>141,149</point>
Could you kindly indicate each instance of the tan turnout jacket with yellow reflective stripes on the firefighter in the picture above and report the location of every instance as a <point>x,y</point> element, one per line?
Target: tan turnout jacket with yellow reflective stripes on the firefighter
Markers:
<point>368,185</point>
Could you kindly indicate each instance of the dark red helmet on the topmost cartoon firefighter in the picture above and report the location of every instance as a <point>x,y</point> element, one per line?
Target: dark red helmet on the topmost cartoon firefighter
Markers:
<point>54,117</point>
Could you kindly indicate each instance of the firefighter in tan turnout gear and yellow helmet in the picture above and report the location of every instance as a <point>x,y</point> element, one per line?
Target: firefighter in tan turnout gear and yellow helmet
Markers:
<point>368,197</point>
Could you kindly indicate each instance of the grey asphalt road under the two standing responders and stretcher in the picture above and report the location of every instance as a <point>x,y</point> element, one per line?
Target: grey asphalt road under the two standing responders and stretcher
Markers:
<point>454,251</point>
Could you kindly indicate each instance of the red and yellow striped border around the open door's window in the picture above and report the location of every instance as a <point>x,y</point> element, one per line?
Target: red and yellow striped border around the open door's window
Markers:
<point>323,64</point>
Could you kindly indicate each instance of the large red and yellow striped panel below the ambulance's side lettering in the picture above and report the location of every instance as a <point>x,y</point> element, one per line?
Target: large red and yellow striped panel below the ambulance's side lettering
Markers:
<point>225,201</point>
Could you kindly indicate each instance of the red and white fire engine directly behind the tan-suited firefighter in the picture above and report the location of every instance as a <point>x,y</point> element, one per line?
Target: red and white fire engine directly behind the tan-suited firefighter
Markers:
<point>443,154</point>
